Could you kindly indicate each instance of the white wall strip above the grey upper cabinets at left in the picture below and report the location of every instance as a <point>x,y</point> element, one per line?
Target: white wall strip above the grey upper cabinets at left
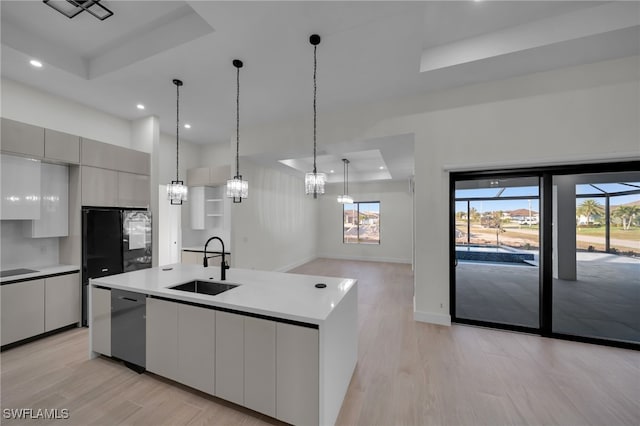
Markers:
<point>29,105</point>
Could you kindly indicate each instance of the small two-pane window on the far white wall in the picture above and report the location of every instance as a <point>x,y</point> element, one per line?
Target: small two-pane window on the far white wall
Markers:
<point>361,223</point>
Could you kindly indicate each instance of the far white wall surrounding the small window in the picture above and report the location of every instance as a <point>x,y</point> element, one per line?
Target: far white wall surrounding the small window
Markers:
<point>396,229</point>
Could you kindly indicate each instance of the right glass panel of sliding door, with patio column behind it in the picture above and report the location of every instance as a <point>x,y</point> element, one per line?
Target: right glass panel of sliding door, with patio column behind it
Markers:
<point>596,269</point>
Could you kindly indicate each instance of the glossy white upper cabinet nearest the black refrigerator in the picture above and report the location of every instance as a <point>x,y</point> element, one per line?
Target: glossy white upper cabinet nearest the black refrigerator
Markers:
<point>54,203</point>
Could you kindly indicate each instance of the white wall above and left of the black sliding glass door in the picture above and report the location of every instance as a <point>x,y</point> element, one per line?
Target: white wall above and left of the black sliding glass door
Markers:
<point>580,114</point>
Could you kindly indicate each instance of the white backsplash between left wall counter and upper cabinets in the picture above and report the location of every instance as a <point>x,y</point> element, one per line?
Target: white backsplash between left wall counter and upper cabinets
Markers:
<point>18,251</point>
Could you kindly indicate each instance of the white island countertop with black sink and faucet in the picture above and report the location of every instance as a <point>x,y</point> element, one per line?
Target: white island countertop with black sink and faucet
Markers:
<point>281,295</point>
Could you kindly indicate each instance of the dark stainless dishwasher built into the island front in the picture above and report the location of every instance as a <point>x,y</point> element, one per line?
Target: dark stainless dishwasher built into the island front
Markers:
<point>128,328</point>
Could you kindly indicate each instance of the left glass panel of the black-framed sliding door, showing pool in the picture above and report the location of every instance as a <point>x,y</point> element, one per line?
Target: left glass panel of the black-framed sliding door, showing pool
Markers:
<point>497,250</point>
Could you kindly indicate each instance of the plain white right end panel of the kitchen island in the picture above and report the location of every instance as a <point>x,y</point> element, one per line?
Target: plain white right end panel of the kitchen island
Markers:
<point>338,355</point>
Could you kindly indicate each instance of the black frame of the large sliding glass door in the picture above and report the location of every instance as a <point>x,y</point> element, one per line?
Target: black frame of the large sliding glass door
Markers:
<point>545,175</point>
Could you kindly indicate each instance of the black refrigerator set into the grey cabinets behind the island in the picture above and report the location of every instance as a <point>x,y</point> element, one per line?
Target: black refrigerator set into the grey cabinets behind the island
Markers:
<point>113,241</point>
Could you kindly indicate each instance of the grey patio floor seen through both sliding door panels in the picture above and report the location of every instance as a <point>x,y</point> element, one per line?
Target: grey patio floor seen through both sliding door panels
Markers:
<point>604,302</point>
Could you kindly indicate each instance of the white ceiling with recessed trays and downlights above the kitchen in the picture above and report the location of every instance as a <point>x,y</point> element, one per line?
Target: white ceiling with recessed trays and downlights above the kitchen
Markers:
<point>370,51</point>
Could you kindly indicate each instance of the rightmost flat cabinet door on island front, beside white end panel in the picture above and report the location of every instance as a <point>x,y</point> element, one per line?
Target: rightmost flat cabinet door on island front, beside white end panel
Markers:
<point>297,374</point>
